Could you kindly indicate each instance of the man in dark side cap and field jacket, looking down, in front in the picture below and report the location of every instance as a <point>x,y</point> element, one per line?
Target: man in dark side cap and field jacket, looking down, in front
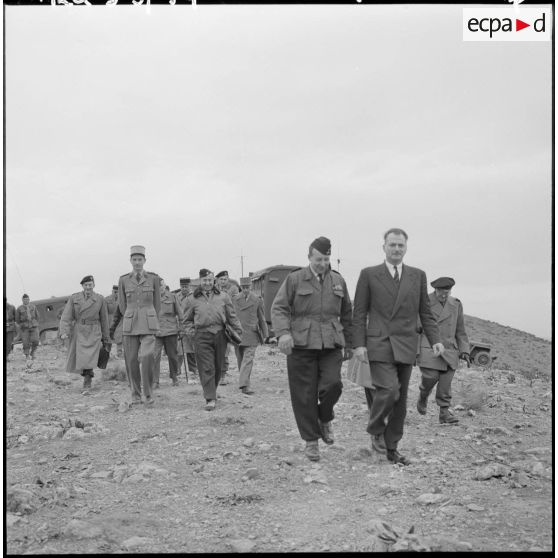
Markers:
<point>311,317</point>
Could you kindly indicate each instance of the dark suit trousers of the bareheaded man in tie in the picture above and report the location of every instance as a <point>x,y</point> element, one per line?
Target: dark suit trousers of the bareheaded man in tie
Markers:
<point>389,402</point>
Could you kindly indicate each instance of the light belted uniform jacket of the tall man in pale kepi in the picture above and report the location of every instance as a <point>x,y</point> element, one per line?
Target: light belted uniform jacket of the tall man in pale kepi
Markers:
<point>139,303</point>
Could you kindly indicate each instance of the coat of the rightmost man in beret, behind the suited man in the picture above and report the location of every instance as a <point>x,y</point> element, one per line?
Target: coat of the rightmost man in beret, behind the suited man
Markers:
<point>452,331</point>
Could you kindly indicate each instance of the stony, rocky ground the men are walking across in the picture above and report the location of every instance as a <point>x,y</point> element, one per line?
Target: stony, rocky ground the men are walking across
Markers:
<point>90,474</point>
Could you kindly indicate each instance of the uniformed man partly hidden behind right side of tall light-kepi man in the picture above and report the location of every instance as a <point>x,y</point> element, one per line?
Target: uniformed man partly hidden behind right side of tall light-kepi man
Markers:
<point>171,321</point>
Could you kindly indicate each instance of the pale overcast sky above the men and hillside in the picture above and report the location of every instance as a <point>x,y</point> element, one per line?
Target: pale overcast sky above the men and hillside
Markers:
<point>229,137</point>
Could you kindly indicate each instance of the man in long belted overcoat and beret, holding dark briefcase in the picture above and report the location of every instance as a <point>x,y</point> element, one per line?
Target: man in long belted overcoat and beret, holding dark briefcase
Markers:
<point>87,311</point>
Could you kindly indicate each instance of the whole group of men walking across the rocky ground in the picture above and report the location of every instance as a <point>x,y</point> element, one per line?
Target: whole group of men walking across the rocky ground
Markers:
<point>393,324</point>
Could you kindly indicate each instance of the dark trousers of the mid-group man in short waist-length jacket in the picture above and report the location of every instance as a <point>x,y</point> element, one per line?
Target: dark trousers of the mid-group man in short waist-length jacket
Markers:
<point>210,355</point>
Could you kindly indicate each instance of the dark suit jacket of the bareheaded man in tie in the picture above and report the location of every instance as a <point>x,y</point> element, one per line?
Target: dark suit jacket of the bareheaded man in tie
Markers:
<point>385,315</point>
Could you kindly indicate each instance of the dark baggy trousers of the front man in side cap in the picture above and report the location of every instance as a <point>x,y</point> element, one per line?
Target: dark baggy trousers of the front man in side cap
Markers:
<point>315,386</point>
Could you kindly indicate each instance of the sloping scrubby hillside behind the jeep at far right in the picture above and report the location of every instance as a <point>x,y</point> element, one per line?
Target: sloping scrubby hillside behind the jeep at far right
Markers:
<point>515,350</point>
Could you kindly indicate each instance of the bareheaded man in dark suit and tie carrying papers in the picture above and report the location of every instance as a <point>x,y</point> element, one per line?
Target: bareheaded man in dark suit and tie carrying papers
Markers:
<point>389,297</point>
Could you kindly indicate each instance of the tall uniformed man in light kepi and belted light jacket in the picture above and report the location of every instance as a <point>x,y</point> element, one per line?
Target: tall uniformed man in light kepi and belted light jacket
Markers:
<point>139,300</point>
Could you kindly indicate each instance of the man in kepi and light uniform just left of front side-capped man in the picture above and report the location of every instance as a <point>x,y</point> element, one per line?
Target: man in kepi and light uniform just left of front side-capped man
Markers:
<point>249,309</point>
